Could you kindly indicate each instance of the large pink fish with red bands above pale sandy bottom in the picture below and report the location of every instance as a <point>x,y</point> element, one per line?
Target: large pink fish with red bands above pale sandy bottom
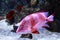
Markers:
<point>33,22</point>
